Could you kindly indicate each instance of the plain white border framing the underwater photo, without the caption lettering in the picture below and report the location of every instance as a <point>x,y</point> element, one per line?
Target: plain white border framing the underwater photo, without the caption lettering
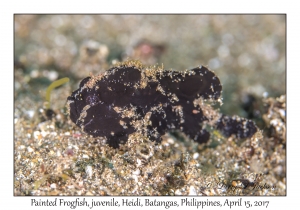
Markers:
<point>10,7</point>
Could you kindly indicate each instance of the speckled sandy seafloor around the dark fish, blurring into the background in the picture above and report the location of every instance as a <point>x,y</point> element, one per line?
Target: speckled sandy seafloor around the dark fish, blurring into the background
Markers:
<point>54,157</point>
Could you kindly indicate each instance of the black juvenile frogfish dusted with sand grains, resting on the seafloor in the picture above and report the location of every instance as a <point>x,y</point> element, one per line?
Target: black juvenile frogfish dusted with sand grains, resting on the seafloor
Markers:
<point>131,97</point>
